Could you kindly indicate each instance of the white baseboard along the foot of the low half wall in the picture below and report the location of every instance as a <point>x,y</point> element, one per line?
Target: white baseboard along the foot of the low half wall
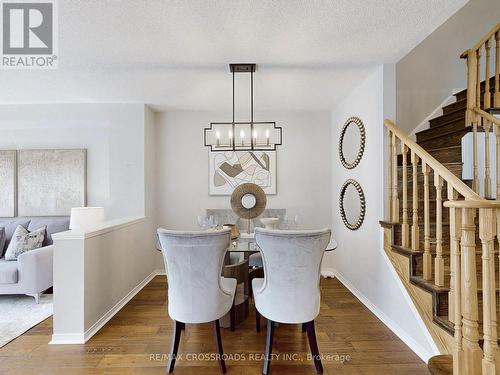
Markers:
<point>82,338</point>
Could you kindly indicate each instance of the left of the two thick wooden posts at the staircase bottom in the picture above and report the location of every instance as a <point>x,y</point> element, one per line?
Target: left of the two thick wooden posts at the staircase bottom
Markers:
<point>472,354</point>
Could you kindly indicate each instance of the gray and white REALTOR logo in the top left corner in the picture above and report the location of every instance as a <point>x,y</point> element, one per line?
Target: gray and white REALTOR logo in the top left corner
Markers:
<point>28,34</point>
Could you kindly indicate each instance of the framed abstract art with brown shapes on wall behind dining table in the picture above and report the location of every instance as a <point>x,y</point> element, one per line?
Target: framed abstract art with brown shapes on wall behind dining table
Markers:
<point>229,169</point>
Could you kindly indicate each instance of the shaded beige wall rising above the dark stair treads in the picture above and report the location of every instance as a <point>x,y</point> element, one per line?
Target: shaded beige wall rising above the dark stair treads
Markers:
<point>430,72</point>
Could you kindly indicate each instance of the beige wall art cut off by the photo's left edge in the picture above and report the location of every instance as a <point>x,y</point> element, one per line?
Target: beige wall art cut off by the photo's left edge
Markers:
<point>8,160</point>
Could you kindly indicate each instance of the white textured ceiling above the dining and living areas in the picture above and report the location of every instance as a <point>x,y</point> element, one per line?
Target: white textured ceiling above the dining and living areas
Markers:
<point>174,54</point>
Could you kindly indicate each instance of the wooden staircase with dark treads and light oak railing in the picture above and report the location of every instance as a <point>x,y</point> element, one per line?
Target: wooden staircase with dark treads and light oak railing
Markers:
<point>441,236</point>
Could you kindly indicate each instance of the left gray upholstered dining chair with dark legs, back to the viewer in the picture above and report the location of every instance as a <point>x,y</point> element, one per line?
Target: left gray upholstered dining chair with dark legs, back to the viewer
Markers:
<point>196,291</point>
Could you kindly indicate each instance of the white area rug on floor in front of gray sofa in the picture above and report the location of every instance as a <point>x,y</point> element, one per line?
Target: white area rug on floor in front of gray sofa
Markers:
<point>18,313</point>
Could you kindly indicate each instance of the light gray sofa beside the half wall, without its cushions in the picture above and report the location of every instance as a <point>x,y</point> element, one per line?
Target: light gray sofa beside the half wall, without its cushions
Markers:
<point>31,273</point>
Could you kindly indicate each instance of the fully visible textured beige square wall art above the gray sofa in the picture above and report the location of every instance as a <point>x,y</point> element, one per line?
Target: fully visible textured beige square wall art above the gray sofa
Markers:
<point>51,182</point>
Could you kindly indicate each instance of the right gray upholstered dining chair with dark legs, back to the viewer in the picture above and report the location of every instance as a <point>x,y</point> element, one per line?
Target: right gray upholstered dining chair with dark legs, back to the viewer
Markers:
<point>289,291</point>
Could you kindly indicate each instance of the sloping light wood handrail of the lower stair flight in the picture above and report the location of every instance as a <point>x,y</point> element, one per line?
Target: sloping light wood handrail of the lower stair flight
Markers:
<point>444,172</point>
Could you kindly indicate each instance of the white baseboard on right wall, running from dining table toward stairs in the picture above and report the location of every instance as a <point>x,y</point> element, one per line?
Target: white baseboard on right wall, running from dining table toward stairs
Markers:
<point>393,326</point>
